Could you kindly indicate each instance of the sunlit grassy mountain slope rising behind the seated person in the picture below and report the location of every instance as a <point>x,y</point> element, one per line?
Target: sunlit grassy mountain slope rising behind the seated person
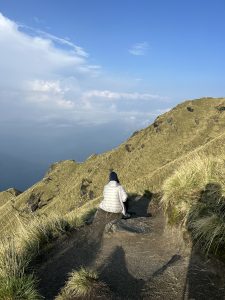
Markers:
<point>142,162</point>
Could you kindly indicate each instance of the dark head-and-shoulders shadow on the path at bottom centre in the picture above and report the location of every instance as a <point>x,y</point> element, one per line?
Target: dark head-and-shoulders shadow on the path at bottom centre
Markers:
<point>114,272</point>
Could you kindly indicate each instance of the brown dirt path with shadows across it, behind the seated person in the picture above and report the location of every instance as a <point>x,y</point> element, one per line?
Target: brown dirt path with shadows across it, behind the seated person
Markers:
<point>156,265</point>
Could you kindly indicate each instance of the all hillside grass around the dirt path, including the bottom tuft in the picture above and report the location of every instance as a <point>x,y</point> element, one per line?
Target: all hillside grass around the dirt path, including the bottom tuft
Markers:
<point>181,156</point>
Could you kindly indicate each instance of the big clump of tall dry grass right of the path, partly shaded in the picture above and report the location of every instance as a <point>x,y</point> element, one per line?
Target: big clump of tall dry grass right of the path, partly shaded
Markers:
<point>194,196</point>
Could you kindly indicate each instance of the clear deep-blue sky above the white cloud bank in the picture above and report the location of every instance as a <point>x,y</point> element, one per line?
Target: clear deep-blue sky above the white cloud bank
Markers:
<point>185,39</point>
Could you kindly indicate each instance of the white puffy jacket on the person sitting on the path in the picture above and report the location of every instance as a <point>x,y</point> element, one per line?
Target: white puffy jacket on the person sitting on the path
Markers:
<point>114,196</point>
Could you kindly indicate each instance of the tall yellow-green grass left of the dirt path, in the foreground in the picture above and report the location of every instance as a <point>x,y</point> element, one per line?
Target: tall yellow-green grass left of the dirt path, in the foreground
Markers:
<point>18,252</point>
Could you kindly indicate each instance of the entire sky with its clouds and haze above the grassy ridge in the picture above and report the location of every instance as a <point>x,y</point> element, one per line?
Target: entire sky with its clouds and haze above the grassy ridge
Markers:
<point>80,76</point>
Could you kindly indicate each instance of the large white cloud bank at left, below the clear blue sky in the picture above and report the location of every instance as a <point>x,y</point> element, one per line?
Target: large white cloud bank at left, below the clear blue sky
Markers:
<point>44,82</point>
